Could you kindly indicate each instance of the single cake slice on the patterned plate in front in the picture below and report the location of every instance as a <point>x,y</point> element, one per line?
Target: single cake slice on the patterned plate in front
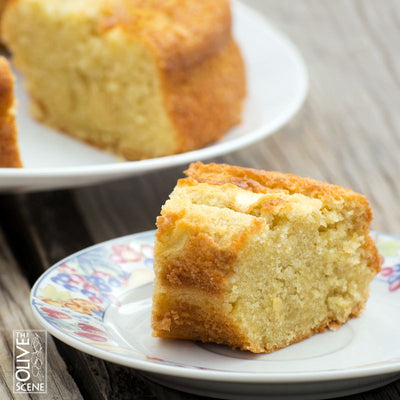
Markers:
<point>259,260</point>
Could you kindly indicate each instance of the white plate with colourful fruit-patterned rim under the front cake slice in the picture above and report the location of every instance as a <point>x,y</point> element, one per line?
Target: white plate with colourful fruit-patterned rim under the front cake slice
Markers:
<point>99,301</point>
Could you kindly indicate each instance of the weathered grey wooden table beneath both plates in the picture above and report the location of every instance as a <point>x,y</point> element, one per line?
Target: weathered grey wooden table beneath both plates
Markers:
<point>347,133</point>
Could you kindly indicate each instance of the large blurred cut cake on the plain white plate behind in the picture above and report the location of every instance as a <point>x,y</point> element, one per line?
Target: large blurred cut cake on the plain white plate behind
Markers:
<point>139,78</point>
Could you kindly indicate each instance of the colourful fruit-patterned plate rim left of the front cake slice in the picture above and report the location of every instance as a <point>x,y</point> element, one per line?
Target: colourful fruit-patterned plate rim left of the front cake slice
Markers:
<point>73,295</point>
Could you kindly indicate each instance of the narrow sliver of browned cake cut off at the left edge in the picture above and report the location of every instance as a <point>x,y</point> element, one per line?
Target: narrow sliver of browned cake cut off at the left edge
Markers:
<point>9,151</point>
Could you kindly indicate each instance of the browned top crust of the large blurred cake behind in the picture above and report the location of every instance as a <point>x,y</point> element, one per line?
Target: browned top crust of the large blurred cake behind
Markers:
<point>181,33</point>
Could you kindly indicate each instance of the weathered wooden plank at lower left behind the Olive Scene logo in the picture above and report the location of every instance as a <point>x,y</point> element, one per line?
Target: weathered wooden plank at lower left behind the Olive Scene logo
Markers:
<point>15,313</point>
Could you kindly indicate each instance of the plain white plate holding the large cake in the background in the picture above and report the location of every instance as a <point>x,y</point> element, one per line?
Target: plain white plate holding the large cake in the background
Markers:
<point>277,85</point>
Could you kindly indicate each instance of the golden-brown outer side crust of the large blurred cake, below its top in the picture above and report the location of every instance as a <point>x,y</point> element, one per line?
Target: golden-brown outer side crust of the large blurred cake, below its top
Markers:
<point>206,101</point>
